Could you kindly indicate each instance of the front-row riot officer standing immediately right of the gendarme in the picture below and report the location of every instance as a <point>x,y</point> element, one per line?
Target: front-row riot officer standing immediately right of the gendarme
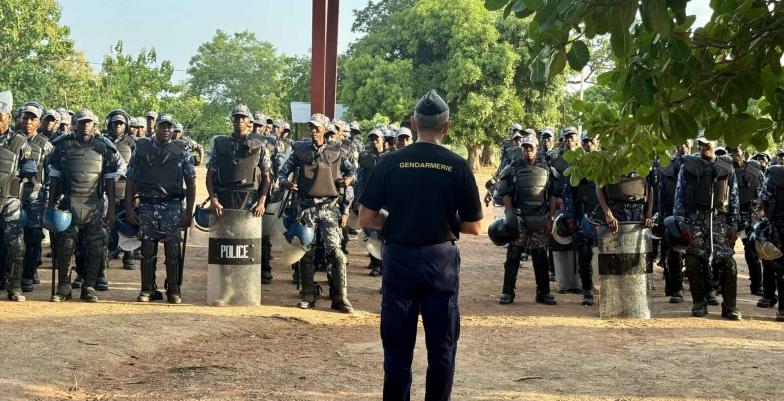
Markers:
<point>527,185</point>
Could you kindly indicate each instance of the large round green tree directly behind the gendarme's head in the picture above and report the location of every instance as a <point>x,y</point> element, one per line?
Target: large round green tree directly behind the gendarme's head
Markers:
<point>471,56</point>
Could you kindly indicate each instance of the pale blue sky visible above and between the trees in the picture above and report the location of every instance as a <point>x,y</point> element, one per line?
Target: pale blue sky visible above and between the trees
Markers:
<point>176,28</point>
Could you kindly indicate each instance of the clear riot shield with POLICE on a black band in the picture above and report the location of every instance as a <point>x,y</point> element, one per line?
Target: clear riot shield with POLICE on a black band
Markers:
<point>234,254</point>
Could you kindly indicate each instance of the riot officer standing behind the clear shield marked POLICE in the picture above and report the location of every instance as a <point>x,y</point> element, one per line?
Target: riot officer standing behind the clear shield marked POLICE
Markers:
<point>238,172</point>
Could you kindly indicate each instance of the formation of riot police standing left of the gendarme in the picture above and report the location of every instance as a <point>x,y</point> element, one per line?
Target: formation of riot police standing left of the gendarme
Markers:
<point>118,190</point>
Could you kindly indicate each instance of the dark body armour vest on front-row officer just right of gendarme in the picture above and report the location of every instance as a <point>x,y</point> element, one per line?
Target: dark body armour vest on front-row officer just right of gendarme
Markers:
<point>531,195</point>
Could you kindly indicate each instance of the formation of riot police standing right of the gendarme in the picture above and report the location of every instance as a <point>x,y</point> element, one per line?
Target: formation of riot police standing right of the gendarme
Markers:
<point>691,211</point>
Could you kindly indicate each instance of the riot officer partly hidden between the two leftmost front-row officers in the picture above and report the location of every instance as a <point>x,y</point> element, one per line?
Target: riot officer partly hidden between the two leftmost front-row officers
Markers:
<point>34,193</point>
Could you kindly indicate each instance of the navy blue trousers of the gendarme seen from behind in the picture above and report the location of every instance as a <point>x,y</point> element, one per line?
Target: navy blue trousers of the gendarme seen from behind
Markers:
<point>420,279</point>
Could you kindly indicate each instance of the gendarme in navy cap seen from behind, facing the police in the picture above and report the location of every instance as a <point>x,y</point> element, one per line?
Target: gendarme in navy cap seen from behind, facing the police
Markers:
<point>432,197</point>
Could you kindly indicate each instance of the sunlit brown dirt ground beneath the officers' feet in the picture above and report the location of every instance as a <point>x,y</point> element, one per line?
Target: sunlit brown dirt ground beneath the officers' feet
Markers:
<point>120,350</point>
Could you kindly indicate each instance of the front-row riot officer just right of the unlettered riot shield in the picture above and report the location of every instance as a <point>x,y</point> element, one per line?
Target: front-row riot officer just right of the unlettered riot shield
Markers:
<point>707,198</point>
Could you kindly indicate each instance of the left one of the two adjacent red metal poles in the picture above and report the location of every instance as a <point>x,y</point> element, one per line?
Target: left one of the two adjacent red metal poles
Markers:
<point>318,61</point>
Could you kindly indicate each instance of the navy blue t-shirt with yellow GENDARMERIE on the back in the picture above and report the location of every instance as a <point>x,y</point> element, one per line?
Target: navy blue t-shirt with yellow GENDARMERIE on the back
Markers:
<point>427,190</point>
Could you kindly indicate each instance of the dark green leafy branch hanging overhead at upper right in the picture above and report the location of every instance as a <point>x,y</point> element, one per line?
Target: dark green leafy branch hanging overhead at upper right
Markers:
<point>669,78</point>
